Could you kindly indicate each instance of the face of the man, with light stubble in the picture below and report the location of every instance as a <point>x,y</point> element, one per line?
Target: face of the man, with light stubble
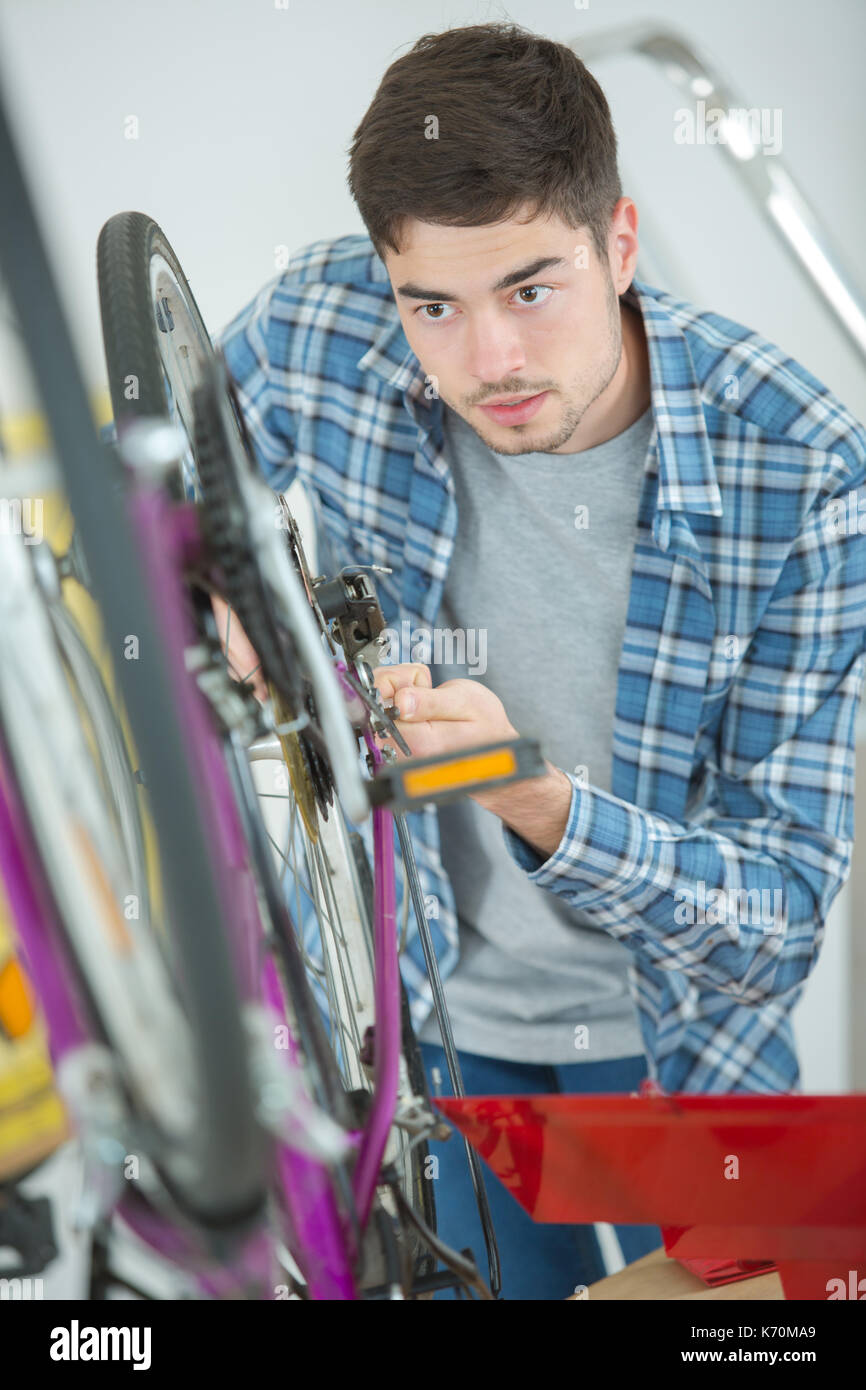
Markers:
<point>548,330</point>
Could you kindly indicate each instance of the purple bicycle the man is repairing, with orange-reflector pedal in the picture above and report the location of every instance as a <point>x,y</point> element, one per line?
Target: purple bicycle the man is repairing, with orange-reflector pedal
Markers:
<point>275,1150</point>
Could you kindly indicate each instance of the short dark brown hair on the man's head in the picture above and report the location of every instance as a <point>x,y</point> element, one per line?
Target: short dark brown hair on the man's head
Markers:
<point>521,119</point>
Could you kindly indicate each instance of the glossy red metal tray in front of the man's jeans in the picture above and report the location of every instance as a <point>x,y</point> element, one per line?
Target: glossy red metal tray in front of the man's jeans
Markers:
<point>768,1179</point>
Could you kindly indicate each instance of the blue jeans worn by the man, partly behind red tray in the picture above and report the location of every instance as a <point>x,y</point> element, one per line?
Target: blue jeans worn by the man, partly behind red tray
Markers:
<point>539,1261</point>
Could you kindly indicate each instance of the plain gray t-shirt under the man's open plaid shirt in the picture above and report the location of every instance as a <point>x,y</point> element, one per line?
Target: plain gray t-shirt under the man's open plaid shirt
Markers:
<point>539,590</point>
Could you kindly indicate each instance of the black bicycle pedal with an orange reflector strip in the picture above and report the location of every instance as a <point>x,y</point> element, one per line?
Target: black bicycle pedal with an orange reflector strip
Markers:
<point>418,782</point>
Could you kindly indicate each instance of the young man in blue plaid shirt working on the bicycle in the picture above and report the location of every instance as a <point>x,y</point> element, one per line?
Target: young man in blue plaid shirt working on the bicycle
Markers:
<point>622,511</point>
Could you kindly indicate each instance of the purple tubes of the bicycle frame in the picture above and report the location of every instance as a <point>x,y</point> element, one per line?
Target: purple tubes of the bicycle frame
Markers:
<point>170,541</point>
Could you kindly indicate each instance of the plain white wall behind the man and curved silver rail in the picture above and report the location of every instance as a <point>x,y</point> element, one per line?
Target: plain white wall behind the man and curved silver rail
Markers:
<point>247,113</point>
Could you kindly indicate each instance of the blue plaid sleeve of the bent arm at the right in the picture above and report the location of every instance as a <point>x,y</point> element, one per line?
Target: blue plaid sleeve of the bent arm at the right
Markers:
<point>737,900</point>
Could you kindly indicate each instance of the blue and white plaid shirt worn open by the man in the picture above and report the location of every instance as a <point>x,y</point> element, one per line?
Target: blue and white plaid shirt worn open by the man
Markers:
<point>742,664</point>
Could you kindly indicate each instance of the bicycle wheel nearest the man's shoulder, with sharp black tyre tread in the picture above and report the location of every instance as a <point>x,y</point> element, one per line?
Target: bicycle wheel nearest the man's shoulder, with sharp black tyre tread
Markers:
<point>155,338</point>
